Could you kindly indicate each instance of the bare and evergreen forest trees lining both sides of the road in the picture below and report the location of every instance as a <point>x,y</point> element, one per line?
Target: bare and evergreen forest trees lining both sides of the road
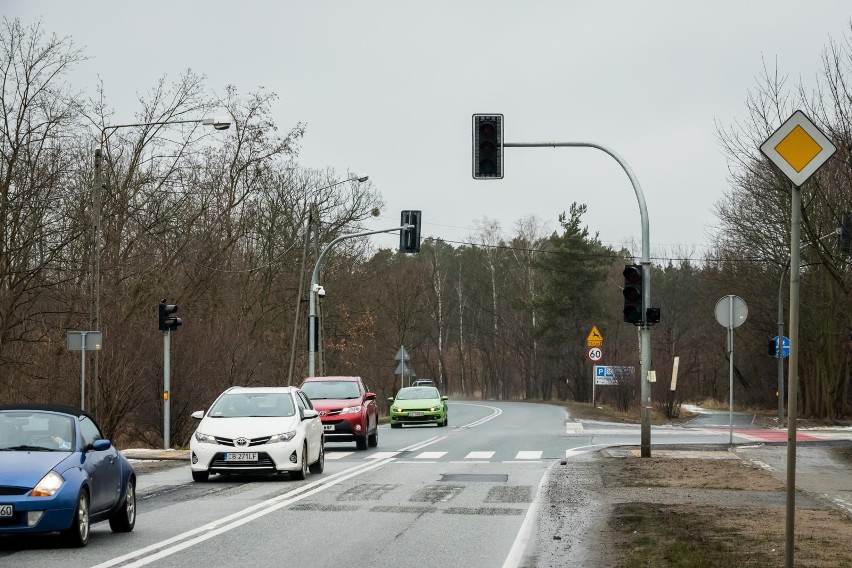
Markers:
<point>227,225</point>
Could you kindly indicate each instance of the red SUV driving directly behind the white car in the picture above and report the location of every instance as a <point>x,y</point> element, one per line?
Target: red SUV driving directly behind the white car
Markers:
<point>347,409</point>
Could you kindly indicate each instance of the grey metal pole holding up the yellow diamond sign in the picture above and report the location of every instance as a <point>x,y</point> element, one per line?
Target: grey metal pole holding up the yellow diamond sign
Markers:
<point>793,373</point>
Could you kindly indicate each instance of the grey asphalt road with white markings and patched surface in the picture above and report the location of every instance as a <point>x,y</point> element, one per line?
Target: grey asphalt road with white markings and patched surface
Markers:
<point>464,495</point>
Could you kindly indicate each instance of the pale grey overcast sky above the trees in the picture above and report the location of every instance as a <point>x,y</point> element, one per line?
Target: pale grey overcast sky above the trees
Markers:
<point>387,89</point>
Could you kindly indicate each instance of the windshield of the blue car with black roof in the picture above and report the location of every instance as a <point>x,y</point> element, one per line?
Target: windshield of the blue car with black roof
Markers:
<point>31,430</point>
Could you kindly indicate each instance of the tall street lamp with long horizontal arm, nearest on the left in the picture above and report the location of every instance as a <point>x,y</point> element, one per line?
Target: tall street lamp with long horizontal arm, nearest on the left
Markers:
<point>219,123</point>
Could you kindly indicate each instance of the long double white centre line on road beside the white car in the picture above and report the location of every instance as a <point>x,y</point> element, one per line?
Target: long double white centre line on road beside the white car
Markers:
<point>195,536</point>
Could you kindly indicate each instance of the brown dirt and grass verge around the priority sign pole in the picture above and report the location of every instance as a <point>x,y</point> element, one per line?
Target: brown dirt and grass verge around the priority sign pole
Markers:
<point>715,510</point>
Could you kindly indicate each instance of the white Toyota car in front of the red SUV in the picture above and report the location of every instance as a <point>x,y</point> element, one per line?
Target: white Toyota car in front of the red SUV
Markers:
<point>258,430</point>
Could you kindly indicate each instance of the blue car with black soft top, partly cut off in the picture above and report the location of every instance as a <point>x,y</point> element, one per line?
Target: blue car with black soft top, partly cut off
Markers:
<point>59,474</point>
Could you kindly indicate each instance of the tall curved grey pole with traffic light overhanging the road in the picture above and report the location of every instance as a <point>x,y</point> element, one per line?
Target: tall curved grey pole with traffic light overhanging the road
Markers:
<point>645,332</point>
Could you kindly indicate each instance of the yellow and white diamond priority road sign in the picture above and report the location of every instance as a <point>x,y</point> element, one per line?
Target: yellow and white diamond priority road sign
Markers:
<point>798,148</point>
